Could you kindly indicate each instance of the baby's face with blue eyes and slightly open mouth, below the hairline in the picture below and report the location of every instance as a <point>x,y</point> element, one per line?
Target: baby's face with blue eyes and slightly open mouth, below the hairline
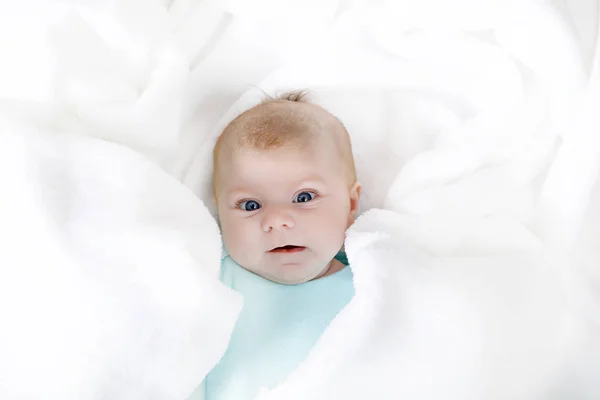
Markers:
<point>284,212</point>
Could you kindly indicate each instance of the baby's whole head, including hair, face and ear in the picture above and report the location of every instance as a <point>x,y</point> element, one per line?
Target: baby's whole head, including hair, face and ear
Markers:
<point>285,187</point>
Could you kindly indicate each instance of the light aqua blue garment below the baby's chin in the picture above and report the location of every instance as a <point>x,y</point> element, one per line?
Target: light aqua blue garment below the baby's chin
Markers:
<point>276,329</point>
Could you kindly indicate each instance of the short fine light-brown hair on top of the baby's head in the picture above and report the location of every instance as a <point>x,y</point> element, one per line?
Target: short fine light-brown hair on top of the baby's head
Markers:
<point>272,124</point>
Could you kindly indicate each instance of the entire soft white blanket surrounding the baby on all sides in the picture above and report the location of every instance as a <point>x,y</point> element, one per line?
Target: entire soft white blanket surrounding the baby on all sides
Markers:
<point>476,137</point>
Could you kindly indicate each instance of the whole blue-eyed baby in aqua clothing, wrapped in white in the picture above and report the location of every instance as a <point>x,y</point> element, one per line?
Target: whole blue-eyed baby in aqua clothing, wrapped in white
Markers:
<point>286,191</point>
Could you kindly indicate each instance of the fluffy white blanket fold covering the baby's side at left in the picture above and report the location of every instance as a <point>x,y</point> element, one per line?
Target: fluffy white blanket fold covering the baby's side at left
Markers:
<point>104,291</point>
